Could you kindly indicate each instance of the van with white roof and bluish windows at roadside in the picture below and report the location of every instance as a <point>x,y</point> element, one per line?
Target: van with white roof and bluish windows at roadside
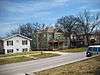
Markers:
<point>92,50</point>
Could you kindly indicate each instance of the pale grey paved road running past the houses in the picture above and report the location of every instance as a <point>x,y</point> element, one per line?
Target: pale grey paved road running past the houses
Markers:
<point>41,64</point>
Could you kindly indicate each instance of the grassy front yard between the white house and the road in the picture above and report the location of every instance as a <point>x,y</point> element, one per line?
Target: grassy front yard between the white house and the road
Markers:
<point>26,56</point>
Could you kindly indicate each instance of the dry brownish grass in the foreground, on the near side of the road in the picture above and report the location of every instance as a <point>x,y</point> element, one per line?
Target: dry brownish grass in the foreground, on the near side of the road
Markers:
<point>86,67</point>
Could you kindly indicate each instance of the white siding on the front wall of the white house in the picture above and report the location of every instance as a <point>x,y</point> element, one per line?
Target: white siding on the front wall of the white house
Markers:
<point>17,44</point>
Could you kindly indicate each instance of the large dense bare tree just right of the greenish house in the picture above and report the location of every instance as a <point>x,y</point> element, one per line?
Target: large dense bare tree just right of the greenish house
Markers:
<point>67,24</point>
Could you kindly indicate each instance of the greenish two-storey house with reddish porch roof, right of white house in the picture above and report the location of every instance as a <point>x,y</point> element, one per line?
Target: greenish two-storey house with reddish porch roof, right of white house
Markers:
<point>50,39</point>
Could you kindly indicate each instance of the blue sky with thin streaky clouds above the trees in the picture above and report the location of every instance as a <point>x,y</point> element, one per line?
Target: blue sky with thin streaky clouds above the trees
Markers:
<point>14,12</point>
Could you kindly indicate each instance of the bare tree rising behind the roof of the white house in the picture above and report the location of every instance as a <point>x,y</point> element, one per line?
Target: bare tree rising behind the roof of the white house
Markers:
<point>25,29</point>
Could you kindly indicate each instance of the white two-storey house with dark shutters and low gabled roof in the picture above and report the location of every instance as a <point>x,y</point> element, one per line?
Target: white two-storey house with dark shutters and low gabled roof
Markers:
<point>16,43</point>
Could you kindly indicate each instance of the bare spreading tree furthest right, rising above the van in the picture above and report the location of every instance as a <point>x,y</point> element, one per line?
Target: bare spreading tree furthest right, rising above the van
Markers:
<point>88,22</point>
